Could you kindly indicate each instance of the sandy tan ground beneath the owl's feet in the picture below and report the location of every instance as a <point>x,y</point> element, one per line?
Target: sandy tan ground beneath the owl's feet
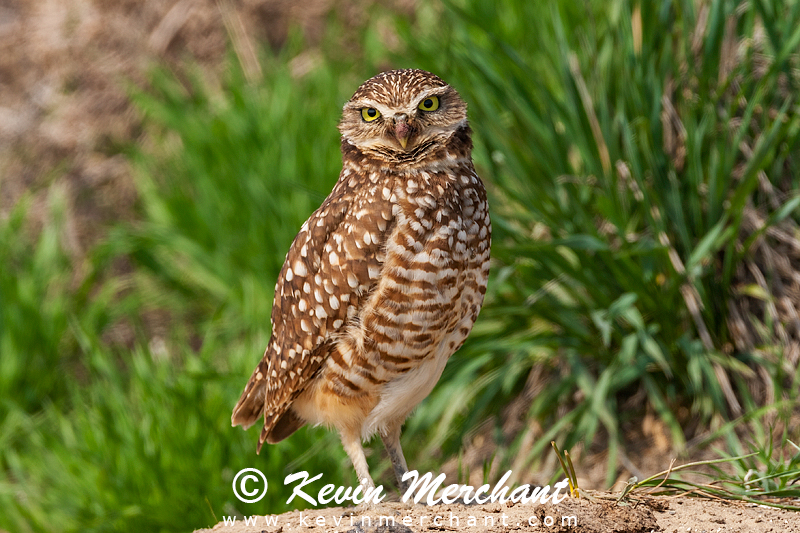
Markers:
<point>670,515</point>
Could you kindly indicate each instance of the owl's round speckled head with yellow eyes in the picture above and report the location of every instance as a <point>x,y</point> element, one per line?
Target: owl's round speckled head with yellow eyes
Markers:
<point>404,116</point>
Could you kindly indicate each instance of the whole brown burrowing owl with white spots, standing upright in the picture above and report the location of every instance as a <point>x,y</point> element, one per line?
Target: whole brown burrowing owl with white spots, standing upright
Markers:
<point>385,280</point>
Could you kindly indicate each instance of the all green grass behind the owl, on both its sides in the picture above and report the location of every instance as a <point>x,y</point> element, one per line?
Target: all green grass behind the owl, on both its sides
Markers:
<point>620,145</point>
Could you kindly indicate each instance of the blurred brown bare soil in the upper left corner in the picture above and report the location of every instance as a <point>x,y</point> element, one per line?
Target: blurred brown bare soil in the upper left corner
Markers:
<point>65,71</point>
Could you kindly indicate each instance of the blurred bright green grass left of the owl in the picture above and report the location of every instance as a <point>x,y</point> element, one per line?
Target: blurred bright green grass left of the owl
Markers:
<point>98,436</point>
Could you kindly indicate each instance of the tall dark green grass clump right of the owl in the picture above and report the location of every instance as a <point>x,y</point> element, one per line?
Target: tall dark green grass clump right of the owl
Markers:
<point>628,145</point>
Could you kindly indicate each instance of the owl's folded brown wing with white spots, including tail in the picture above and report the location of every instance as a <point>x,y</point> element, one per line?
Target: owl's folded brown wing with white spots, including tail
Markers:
<point>332,265</point>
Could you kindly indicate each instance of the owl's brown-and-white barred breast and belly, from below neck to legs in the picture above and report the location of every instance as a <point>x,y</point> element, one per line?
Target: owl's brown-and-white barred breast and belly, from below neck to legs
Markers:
<point>425,299</point>
